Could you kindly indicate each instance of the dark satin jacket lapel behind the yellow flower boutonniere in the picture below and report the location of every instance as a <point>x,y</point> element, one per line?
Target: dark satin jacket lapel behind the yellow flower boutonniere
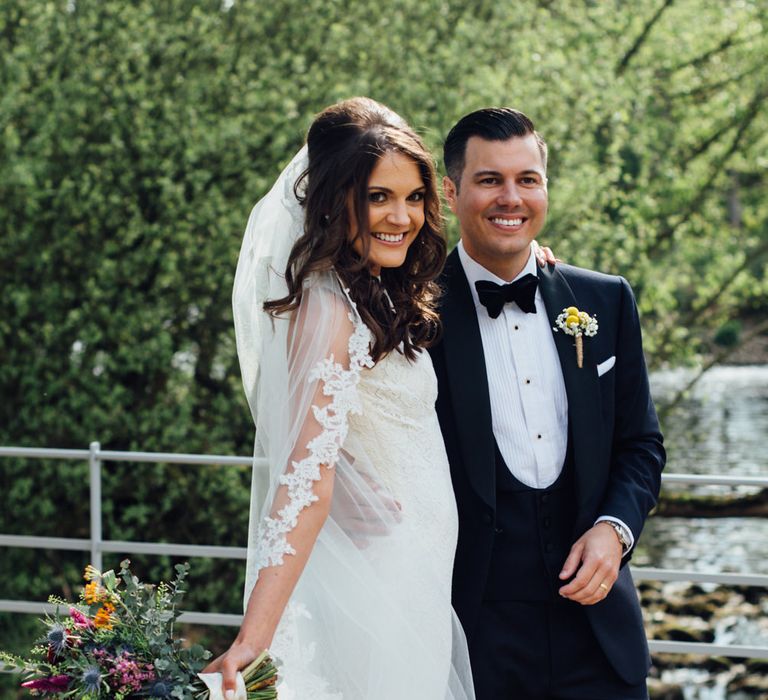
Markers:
<point>581,385</point>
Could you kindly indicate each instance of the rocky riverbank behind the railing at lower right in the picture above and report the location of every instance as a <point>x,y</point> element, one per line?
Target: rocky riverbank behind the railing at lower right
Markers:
<point>698,613</point>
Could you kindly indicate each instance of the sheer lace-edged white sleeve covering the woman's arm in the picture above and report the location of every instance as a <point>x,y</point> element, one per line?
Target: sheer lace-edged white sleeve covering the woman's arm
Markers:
<point>327,348</point>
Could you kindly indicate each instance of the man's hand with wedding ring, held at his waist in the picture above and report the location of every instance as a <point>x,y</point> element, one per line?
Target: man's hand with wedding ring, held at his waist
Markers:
<point>594,558</point>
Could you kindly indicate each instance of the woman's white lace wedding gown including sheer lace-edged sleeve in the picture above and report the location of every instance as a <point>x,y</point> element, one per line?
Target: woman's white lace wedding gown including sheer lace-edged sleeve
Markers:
<point>371,617</point>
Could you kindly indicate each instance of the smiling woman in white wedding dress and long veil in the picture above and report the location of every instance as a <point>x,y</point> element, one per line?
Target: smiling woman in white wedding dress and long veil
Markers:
<point>353,528</point>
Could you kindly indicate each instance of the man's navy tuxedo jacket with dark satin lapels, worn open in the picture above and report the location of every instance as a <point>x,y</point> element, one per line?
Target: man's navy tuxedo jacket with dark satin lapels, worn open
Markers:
<point>617,445</point>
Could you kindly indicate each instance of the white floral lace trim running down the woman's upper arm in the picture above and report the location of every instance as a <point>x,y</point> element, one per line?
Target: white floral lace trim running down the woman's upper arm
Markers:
<point>341,384</point>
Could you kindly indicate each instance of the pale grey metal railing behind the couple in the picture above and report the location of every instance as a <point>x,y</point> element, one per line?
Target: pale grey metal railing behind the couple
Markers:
<point>96,545</point>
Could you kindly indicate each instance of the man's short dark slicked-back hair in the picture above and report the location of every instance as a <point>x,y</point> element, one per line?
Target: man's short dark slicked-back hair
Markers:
<point>491,124</point>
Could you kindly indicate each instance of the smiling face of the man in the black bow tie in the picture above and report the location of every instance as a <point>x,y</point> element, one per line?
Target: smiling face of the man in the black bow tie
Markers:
<point>500,201</point>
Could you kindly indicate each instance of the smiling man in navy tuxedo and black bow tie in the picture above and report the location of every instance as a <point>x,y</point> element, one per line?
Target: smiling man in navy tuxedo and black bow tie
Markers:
<point>556,460</point>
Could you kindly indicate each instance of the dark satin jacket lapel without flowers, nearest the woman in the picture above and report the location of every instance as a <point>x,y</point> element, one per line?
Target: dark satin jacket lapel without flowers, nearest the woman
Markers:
<point>465,363</point>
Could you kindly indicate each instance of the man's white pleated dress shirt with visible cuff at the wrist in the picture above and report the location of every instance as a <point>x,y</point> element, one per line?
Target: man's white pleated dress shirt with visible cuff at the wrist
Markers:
<point>529,404</point>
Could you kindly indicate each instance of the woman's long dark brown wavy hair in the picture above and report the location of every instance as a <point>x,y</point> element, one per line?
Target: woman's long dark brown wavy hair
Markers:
<point>345,143</point>
